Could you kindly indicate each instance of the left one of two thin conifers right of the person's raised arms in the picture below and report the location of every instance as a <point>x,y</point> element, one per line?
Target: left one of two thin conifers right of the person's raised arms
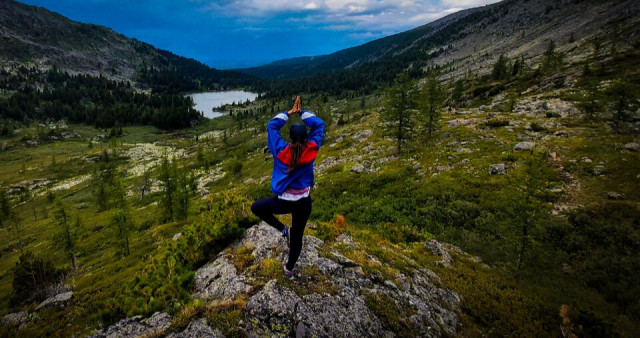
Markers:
<point>398,110</point>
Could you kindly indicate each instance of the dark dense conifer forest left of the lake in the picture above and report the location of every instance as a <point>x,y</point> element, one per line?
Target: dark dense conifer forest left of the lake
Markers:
<point>92,100</point>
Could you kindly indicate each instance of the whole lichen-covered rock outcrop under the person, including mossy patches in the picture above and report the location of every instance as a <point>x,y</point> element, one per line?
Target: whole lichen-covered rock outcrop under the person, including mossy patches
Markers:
<point>331,295</point>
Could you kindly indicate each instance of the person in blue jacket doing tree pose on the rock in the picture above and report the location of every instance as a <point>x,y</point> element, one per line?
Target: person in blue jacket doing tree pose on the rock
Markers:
<point>292,177</point>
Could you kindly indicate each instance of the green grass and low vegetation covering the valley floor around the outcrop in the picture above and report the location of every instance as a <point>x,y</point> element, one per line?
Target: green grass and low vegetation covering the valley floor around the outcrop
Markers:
<point>391,211</point>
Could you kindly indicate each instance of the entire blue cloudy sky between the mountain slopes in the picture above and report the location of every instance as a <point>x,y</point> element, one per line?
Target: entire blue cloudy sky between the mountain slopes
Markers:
<point>229,34</point>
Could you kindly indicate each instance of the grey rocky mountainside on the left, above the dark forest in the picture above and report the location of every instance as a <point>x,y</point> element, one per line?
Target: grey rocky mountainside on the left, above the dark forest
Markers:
<point>34,36</point>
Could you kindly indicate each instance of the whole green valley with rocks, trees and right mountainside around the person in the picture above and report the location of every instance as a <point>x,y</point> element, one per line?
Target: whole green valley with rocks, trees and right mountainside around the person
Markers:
<point>487,189</point>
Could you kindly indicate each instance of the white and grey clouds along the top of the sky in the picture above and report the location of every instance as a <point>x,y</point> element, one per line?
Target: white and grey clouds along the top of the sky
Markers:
<point>359,16</point>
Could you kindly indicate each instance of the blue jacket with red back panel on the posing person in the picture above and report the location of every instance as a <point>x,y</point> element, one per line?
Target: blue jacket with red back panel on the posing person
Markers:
<point>302,176</point>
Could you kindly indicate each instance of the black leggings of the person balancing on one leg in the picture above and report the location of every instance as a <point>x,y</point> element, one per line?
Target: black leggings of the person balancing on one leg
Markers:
<point>299,210</point>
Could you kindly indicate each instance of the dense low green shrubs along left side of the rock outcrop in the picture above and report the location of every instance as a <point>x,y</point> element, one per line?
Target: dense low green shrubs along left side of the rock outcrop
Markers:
<point>167,282</point>
